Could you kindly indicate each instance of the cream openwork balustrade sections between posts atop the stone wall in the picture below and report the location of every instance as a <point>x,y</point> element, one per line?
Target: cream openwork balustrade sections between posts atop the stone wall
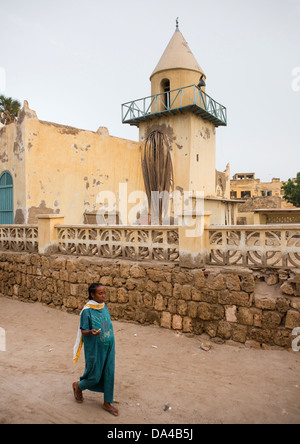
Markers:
<point>251,246</point>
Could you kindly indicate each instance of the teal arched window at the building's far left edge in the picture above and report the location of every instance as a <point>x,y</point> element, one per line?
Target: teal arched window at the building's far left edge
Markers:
<point>6,199</point>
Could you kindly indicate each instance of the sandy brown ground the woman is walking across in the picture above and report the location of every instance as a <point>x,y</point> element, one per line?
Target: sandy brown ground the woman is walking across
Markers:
<point>227,384</point>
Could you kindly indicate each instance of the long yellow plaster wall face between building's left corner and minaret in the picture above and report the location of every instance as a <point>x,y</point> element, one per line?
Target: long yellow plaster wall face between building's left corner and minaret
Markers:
<point>67,168</point>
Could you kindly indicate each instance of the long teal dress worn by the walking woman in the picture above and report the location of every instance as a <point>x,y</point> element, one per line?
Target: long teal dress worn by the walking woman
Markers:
<point>99,352</point>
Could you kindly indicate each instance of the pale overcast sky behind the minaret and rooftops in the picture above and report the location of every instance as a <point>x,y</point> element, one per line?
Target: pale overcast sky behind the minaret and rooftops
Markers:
<point>76,62</point>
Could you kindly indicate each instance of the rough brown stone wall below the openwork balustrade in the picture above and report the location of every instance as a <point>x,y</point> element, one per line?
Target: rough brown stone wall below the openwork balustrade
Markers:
<point>230,304</point>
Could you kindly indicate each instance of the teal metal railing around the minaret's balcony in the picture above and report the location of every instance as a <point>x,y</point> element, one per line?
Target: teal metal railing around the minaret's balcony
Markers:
<point>188,98</point>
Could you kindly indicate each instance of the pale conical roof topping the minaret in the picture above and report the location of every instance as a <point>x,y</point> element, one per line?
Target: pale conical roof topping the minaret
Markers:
<point>177,55</point>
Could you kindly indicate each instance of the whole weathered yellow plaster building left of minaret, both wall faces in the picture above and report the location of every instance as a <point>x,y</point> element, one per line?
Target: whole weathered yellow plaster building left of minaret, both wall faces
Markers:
<point>59,169</point>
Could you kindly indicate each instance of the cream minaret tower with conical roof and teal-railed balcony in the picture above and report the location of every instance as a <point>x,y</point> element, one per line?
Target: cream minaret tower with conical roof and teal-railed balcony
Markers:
<point>180,108</point>
